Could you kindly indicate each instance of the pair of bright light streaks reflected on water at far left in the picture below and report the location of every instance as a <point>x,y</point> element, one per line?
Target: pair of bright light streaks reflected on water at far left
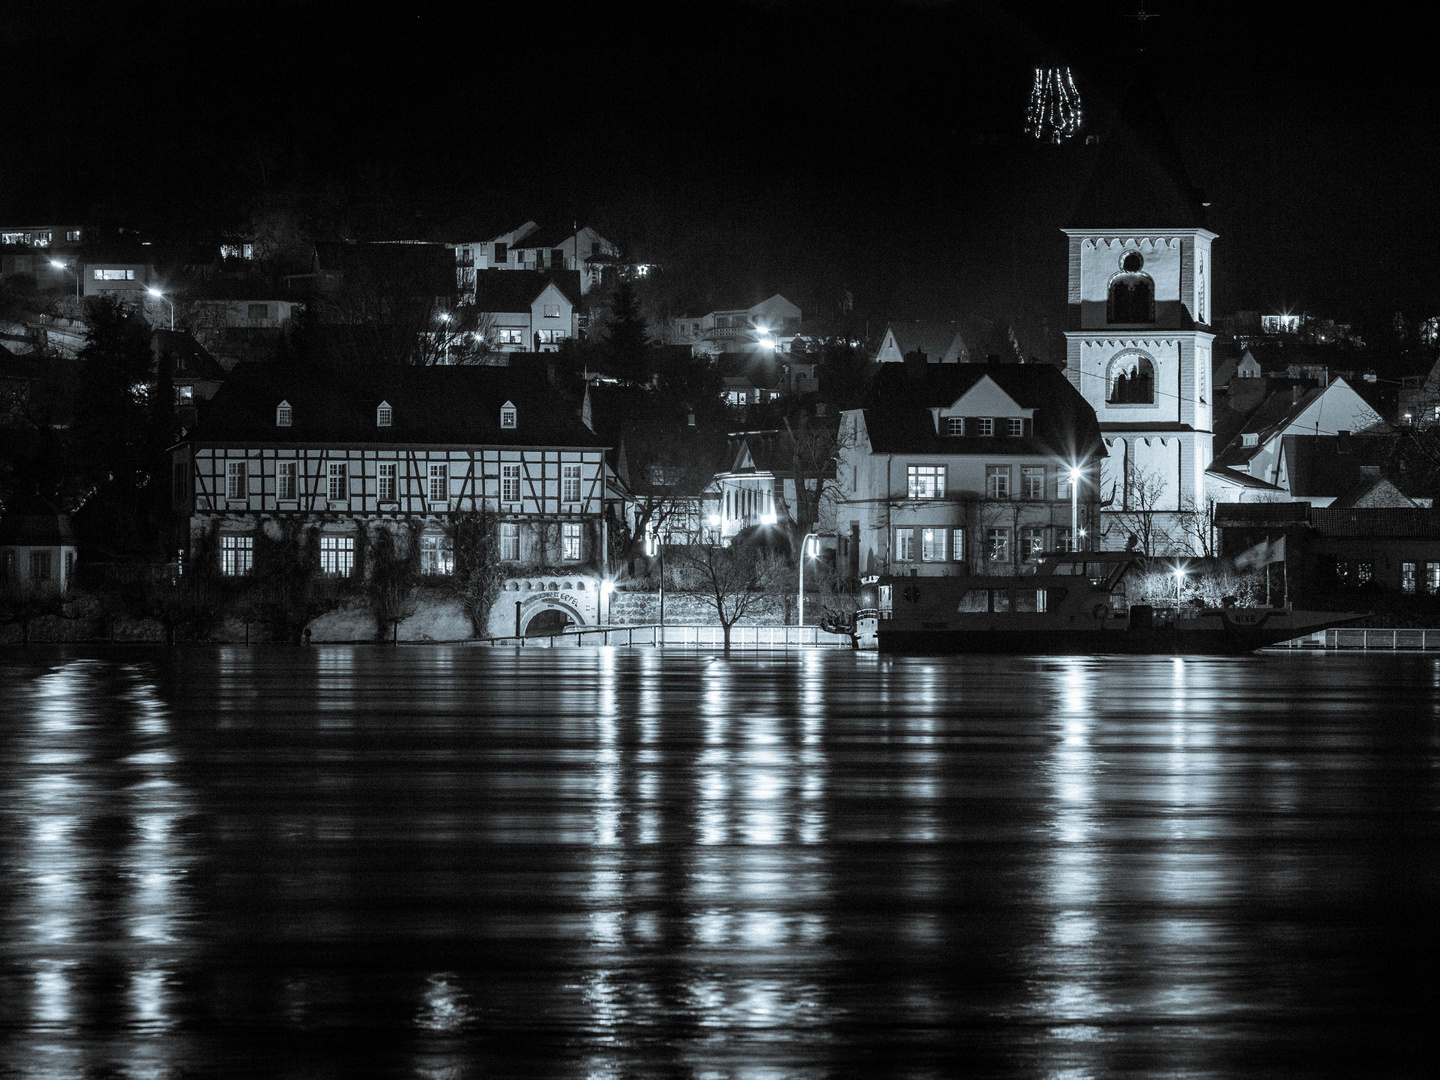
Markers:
<point>99,906</point>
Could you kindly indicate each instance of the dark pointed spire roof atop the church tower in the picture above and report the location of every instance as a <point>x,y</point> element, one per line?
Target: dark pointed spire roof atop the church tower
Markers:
<point>1138,179</point>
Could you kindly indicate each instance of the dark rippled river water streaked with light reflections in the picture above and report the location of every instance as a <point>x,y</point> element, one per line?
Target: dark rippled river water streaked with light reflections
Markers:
<point>450,863</point>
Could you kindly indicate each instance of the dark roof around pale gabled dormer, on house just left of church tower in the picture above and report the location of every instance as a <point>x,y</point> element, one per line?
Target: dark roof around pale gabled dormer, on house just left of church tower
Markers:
<point>898,411</point>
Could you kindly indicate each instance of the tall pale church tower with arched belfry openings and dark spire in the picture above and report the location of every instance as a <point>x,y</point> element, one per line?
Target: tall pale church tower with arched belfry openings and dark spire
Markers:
<point>1138,339</point>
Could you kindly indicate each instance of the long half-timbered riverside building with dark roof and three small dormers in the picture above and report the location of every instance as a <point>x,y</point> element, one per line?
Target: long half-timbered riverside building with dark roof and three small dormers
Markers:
<point>408,450</point>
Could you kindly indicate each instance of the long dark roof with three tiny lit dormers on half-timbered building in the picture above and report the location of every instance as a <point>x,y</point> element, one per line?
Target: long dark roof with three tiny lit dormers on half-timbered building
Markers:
<point>430,405</point>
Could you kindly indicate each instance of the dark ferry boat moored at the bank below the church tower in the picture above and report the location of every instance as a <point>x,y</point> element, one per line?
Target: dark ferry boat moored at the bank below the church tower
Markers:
<point>1072,604</point>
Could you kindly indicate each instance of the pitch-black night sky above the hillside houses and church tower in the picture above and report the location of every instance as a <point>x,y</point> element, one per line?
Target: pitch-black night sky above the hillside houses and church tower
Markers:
<point>809,148</point>
